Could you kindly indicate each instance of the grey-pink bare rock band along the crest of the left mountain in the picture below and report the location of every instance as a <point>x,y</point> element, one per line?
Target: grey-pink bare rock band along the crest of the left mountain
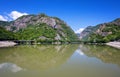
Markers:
<point>24,21</point>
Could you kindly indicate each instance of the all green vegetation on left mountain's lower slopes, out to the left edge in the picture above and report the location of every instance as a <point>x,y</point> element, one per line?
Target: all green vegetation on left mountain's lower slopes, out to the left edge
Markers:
<point>40,33</point>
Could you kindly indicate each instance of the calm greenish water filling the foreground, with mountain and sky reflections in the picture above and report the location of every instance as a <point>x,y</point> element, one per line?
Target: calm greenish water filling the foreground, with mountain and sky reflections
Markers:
<point>59,61</point>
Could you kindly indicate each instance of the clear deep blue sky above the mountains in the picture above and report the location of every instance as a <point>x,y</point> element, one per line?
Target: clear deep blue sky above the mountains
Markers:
<point>76,13</point>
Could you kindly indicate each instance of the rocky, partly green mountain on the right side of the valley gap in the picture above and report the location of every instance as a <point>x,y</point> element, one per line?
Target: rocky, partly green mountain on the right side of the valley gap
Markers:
<point>105,32</point>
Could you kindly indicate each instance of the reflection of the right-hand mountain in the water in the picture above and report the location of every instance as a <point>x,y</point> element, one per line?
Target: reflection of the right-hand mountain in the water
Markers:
<point>105,53</point>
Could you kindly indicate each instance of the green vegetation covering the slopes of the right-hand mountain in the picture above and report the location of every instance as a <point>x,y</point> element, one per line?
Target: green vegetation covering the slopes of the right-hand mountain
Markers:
<point>109,33</point>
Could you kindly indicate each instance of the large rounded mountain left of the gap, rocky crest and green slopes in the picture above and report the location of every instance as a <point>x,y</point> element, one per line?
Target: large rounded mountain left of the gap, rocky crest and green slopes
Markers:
<point>40,28</point>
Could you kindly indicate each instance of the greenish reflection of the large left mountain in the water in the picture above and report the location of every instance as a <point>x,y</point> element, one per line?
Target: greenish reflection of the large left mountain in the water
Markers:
<point>37,57</point>
